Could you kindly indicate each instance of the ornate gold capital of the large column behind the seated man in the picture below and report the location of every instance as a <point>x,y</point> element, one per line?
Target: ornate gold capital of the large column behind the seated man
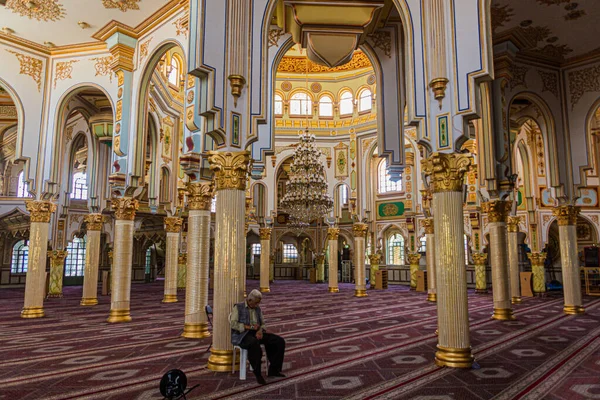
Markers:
<point>230,168</point>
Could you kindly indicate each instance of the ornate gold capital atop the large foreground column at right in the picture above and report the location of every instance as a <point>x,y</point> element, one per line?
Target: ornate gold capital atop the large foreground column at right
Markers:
<point>446,170</point>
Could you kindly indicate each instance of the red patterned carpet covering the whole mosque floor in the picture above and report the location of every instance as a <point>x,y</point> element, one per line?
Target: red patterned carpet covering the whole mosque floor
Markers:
<point>338,347</point>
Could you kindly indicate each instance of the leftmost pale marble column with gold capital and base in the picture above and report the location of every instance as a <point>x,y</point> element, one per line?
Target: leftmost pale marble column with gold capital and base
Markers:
<point>35,283</point>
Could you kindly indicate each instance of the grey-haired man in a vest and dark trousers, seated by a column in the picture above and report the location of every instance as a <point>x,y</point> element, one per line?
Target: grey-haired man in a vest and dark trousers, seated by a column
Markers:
<point>248,332</point>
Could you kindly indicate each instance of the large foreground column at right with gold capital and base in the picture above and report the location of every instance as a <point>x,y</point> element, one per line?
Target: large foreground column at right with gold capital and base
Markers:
<point>446,172</point>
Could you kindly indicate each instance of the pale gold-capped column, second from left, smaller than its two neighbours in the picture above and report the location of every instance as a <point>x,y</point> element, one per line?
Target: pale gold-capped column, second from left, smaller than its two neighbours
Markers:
<point>92,259</point>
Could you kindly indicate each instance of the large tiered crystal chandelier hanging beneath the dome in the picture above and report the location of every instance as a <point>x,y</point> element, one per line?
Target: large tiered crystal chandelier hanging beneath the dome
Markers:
<point>306,197</point>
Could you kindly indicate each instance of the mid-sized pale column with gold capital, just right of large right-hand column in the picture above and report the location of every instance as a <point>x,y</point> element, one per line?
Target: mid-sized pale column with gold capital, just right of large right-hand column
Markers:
<point>497,211</point>
